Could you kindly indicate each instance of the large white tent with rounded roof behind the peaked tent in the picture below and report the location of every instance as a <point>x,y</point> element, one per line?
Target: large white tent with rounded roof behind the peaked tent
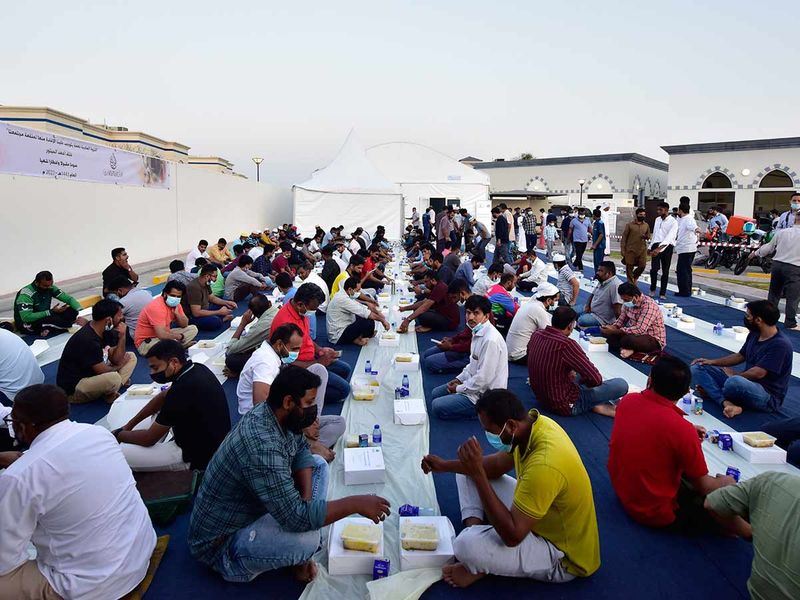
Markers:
<point>424,173</point>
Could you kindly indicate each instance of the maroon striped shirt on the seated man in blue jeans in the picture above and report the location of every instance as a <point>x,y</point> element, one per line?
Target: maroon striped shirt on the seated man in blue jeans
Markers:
<point>553,361</point>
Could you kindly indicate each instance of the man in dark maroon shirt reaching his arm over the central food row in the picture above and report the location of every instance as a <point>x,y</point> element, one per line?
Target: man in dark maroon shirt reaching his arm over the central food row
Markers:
<point>439,310</point>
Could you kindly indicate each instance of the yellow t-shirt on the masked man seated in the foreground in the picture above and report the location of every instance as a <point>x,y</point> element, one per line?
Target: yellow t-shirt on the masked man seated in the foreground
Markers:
<point>553,487</point>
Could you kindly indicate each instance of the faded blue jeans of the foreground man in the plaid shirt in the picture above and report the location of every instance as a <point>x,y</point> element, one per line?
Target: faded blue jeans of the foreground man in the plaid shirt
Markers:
<point>265,546</point>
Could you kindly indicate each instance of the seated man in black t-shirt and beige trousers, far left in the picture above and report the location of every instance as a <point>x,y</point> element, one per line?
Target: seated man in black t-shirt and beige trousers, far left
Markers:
<point>84,373</point>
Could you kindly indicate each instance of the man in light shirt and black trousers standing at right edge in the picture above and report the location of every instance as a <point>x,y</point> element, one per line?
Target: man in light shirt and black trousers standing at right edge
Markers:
<point>785,280</point>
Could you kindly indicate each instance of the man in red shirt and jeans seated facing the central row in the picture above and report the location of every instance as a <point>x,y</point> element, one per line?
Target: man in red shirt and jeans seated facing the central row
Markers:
<point>306,300</point>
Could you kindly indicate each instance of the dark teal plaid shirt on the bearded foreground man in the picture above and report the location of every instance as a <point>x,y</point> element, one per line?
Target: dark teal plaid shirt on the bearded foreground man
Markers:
<point>250,476</point>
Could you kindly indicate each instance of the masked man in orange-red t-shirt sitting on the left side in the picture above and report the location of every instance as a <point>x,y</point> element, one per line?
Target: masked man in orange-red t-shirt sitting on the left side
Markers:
<point>156,319</point>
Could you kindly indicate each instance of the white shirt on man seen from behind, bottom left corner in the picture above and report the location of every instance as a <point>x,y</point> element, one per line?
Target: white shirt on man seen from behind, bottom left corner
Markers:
<point>73,496</point>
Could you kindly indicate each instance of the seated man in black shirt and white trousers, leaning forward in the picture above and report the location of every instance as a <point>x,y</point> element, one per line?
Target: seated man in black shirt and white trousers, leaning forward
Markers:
<point>194,408</point>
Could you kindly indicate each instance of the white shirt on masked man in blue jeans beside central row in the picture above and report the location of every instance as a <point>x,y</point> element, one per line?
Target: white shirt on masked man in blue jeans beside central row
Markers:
<point>488,364</point>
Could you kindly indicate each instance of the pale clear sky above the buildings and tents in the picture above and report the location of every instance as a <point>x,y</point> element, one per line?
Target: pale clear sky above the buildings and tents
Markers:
<point>288,80</point>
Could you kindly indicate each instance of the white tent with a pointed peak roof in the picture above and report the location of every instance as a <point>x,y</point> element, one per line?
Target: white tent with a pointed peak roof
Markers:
<point>351,192</point>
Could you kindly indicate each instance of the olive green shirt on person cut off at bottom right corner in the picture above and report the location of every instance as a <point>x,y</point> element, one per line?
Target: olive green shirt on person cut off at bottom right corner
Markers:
<point>771,503</point>
